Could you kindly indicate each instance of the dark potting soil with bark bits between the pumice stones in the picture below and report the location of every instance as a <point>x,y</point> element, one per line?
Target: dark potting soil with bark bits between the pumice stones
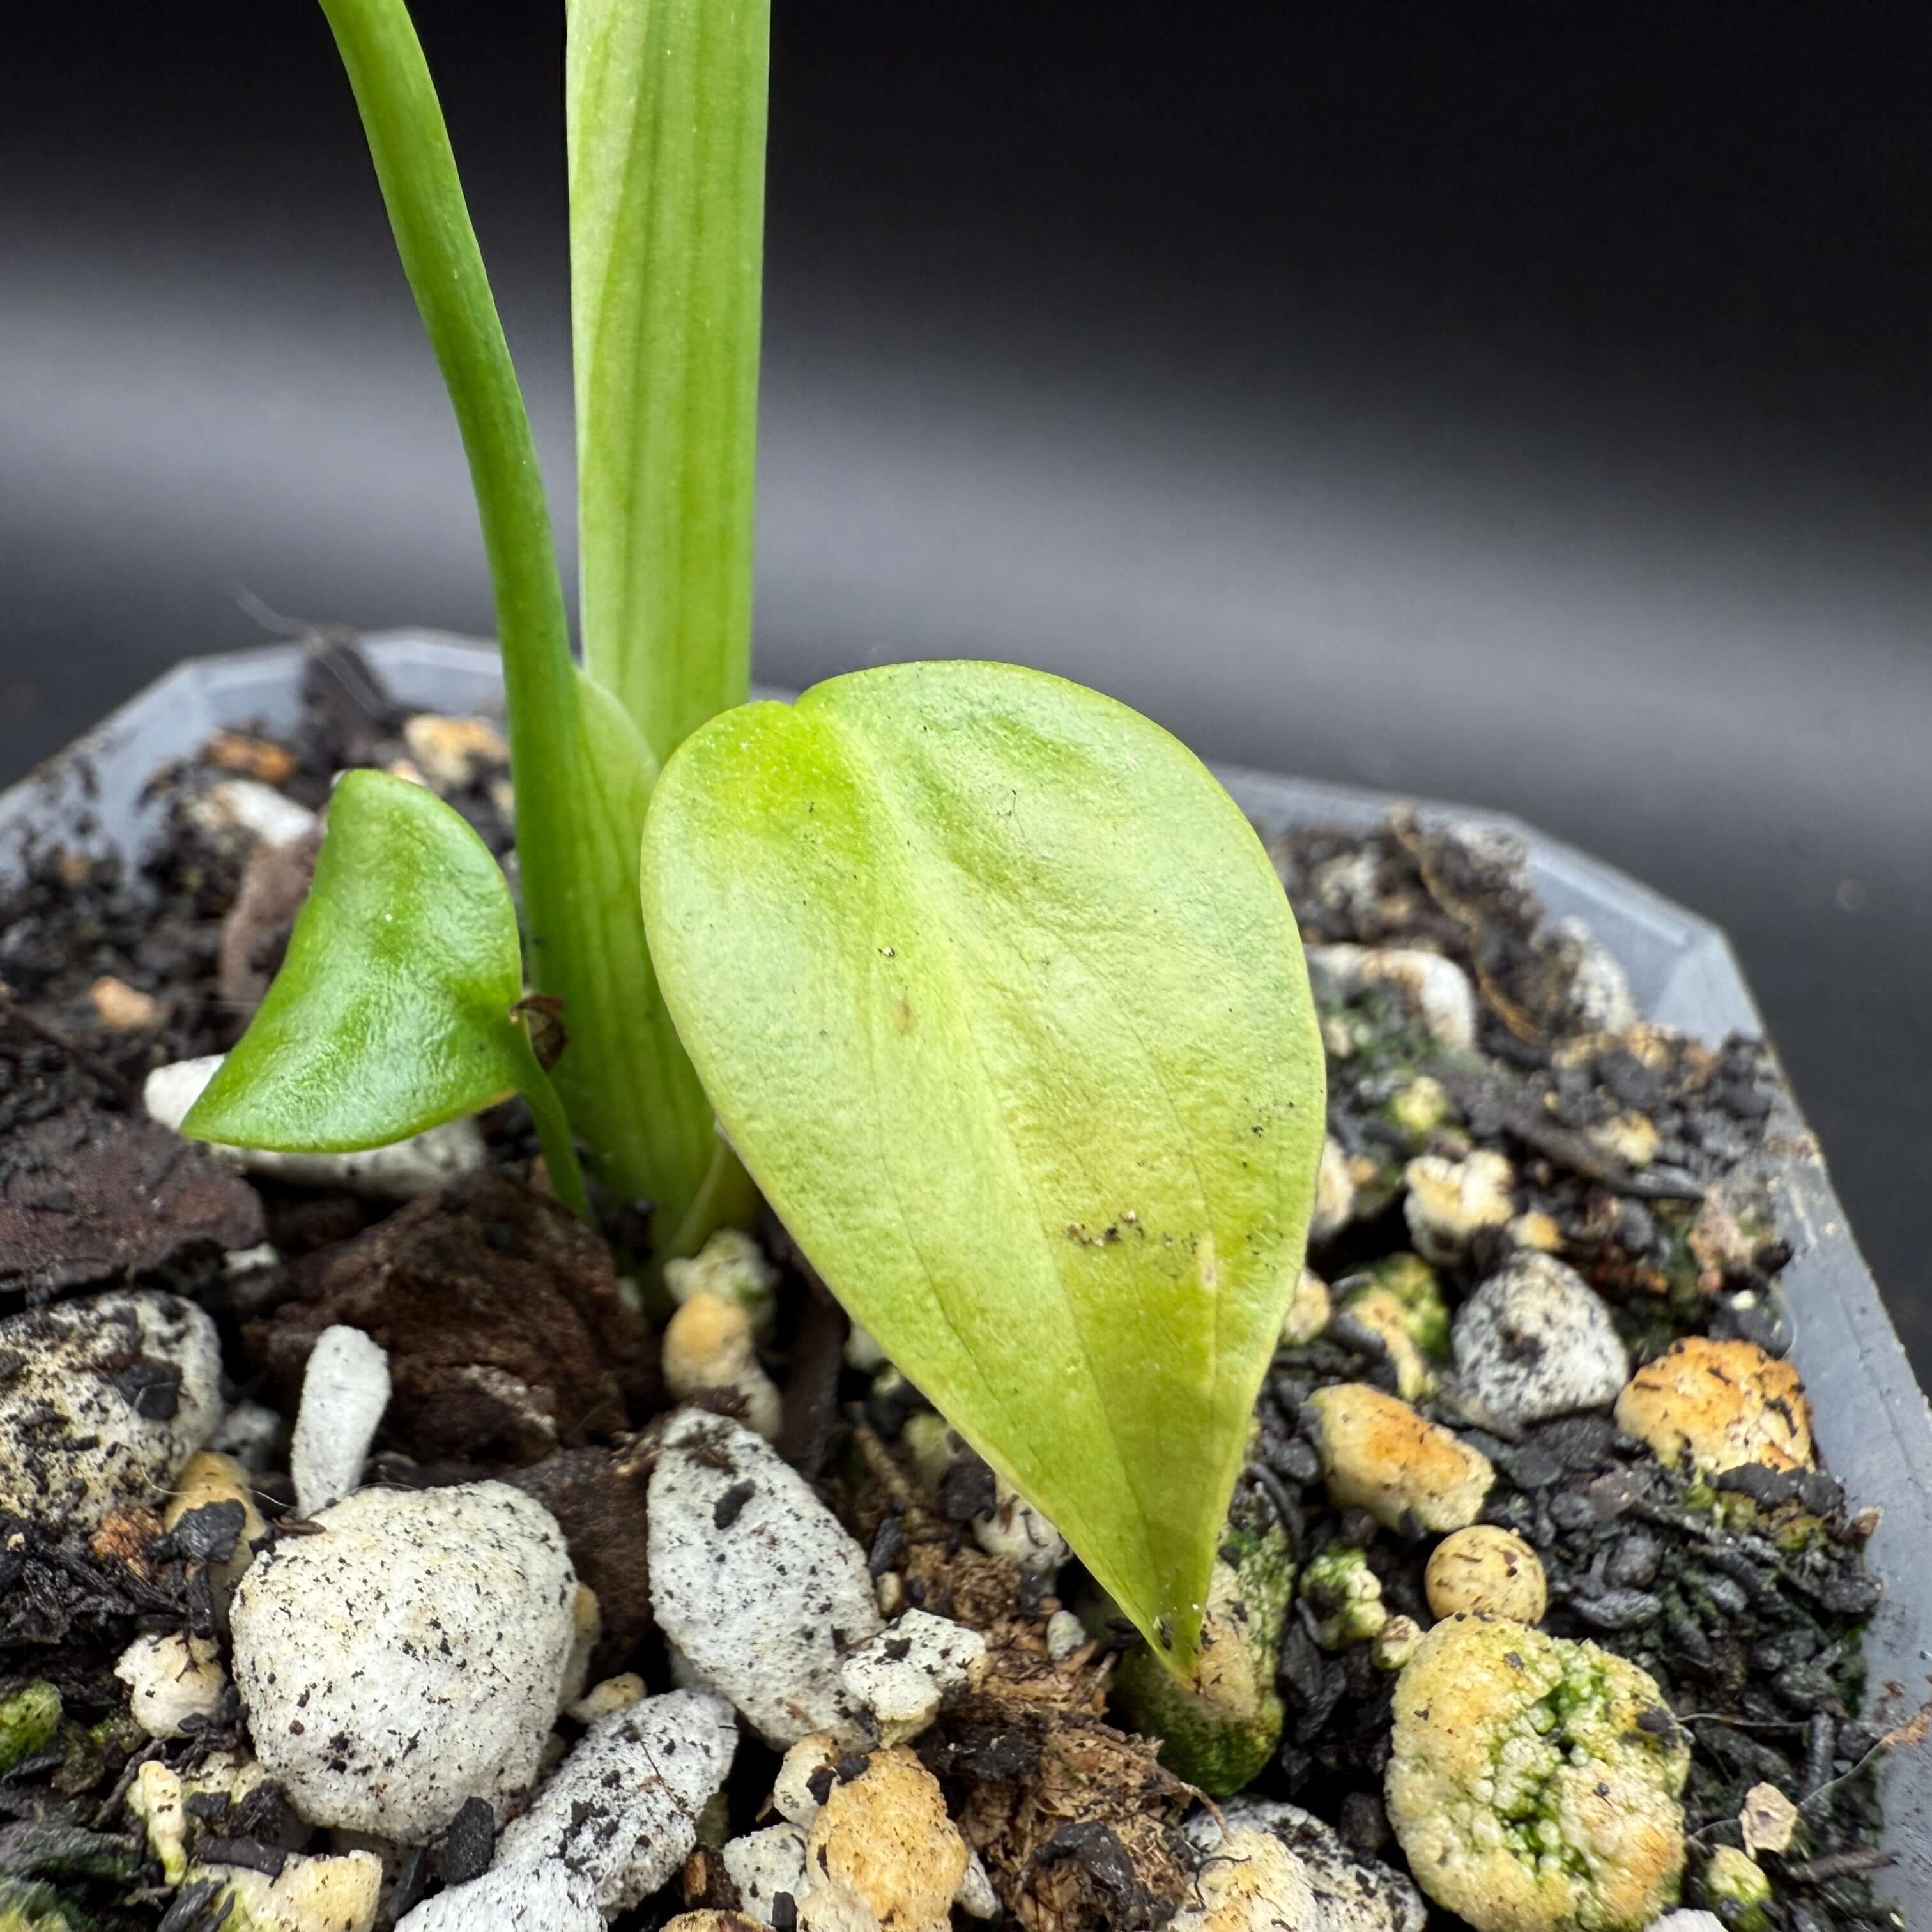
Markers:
<point>515,1351</point>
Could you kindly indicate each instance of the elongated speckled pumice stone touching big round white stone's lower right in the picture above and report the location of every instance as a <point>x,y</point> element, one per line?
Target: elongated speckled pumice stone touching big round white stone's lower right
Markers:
<point>623,1807</point>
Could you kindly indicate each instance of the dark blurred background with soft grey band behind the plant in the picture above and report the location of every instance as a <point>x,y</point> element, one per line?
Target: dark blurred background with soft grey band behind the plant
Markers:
<point>1508,405</point>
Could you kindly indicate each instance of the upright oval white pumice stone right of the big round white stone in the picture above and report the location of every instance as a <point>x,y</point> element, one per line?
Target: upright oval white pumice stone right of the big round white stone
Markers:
<point>754,1579</point>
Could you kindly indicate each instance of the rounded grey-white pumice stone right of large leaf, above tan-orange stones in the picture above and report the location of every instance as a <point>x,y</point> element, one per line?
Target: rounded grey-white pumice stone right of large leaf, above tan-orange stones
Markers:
<point>1537,1342</point>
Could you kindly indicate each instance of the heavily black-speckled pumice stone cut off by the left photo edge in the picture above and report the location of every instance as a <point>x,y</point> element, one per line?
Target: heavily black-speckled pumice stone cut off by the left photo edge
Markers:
<point>103,1400</point>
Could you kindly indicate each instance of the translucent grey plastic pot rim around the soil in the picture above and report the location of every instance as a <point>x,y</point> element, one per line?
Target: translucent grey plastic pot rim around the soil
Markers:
<point>1873,1421</point>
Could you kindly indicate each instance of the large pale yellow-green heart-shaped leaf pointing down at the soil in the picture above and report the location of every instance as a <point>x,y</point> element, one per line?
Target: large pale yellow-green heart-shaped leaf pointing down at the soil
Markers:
<point>1006,1011</point>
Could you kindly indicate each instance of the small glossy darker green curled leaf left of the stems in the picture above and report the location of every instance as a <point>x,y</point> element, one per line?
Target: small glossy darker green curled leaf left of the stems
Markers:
<point>393,1009</point>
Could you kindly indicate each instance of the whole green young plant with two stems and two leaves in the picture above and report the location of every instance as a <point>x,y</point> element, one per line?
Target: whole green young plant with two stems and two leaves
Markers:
<point>986,979</point>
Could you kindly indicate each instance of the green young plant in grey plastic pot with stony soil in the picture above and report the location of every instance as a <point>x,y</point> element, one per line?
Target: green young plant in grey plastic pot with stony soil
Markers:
<point>977,1000</point>
